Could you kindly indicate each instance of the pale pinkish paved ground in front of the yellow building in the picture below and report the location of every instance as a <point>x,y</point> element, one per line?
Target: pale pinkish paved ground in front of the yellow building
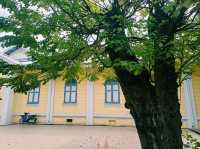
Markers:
<point>67,137</point>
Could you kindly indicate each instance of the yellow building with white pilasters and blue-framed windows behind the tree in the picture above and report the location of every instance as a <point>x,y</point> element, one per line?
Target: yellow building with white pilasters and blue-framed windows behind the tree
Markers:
<point>99,102</point>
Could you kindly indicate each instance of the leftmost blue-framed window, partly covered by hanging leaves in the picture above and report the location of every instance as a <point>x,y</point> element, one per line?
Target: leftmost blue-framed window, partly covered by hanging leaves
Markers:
<point>33,96</point>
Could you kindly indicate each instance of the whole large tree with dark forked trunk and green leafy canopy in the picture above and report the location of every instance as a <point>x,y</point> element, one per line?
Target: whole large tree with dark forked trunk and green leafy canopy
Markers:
<point>148,44</point>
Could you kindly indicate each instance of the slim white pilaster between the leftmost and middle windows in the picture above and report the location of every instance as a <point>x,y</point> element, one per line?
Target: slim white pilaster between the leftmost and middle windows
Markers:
<point>50,102</point>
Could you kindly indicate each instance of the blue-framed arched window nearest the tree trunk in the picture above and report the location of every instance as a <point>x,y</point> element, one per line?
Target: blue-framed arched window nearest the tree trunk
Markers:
<point>112,92</point>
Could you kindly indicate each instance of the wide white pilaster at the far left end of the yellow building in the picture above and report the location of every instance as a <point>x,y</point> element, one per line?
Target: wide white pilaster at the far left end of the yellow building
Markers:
<point>6,113</point>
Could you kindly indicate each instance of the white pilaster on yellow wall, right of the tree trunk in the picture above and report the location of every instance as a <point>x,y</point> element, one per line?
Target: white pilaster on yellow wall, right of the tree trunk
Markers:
<point>190,104</point>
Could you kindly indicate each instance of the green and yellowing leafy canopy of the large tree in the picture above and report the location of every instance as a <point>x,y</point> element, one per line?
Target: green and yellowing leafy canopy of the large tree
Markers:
<point>64,35</point>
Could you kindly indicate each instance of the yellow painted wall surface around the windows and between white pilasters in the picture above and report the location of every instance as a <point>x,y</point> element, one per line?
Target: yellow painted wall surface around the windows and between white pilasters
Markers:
<point>100,107</point>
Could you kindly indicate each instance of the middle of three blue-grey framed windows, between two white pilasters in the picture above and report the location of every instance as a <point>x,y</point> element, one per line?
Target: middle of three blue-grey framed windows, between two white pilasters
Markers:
<point>70,92</point>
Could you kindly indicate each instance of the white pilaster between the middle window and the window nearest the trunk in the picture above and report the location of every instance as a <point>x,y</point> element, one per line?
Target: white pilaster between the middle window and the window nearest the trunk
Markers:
<point>90,96</point>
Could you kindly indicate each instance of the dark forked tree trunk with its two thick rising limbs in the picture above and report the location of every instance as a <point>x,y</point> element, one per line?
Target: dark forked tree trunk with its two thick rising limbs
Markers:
<point>155,108</point>
